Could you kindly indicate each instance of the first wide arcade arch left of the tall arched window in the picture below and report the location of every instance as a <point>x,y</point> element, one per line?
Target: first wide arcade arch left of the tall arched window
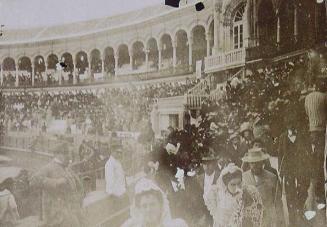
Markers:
<point>199,47</point>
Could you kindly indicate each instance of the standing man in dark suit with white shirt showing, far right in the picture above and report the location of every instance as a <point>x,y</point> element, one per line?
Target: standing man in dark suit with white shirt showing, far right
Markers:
<point>293,162</point>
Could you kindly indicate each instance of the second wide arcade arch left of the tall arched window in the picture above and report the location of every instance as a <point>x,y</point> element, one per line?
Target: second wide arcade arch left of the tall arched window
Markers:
<point>181,48</point>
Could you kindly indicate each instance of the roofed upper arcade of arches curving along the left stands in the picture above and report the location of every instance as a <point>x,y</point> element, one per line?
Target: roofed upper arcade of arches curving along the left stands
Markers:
<point>155,41</point>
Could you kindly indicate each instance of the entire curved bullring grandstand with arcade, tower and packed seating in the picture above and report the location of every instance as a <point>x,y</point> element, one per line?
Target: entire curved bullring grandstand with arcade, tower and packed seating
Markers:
<point>161,76</point>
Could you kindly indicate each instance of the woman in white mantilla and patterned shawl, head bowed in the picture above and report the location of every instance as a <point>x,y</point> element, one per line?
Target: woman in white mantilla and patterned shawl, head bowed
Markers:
<point>234,205</point>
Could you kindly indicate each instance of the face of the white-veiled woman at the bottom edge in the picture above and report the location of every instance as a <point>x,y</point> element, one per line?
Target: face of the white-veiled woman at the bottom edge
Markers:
<point>150,208</point>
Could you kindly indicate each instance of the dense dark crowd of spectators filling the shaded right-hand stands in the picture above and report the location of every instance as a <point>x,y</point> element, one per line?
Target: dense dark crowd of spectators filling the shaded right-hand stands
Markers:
<point>266,108</point>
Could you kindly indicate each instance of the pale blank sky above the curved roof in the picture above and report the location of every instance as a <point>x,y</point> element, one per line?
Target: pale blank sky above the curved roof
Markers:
<point>35,13</point>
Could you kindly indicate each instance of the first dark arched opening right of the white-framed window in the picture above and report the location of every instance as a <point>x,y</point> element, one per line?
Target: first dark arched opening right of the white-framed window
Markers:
<point>267,24</point>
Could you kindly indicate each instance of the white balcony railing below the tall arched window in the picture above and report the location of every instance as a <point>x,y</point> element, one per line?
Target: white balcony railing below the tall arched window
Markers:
<point>225,60</point>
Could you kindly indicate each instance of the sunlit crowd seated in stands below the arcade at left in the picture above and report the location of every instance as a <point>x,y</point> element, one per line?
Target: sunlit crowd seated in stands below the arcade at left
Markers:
<point>88,111</point>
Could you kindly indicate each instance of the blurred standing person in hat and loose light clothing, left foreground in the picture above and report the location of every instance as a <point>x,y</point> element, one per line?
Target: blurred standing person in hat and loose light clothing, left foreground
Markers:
<point>62,191</point>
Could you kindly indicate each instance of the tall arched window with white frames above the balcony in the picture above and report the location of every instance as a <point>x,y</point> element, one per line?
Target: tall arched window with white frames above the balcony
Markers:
<point>238,27</point>
